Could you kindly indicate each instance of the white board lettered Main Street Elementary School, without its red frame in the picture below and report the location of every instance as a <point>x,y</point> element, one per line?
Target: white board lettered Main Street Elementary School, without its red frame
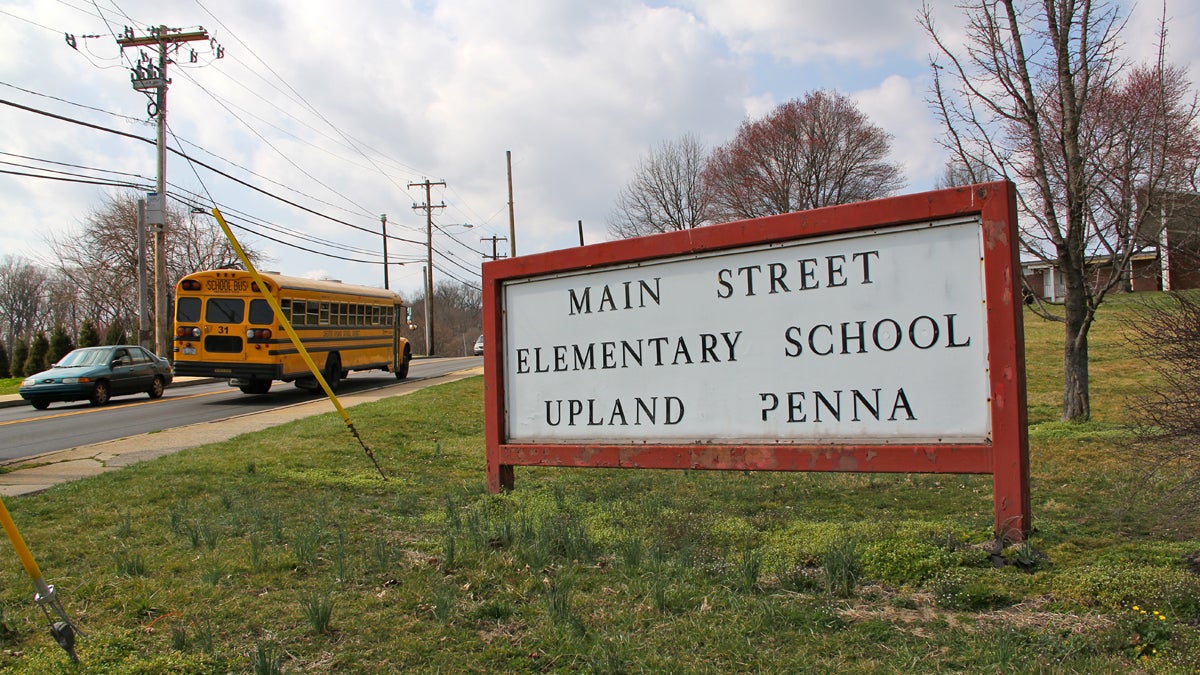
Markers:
<point>860,338</point>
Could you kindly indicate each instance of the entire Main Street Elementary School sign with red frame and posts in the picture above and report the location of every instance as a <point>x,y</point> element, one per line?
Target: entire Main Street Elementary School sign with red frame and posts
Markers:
<point>880,337</point>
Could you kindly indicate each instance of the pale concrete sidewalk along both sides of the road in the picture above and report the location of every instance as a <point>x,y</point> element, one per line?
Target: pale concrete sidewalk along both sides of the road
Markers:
<point>41,473</point>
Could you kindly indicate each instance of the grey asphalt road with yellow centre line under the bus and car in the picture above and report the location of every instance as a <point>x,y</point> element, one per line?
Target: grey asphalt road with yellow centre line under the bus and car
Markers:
<point>26,432</point>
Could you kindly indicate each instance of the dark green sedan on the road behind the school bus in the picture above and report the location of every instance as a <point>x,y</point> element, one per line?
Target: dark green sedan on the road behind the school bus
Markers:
<point>97,374</point>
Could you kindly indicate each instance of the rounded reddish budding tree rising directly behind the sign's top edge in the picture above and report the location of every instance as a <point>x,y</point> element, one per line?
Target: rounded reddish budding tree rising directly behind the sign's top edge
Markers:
<point>809,153</point>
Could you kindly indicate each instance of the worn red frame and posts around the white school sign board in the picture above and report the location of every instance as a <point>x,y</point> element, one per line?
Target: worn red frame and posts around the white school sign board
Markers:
<point>1006,457</point>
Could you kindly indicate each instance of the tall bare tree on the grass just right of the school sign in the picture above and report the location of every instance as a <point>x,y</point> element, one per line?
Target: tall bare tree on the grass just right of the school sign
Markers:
<point>1030,97</point>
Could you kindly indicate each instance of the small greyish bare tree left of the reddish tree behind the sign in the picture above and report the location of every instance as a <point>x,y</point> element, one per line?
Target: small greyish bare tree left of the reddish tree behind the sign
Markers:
<point>667,193</point>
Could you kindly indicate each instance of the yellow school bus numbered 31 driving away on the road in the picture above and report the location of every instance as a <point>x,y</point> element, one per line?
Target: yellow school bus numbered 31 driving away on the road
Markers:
<point>225,328</point>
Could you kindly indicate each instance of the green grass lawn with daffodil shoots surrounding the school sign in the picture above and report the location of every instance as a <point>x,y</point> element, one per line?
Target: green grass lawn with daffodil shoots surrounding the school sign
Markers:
<point>284,552</point>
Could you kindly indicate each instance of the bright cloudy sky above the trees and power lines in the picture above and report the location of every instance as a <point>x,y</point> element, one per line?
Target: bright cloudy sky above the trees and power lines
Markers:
<point>339,106</point>
